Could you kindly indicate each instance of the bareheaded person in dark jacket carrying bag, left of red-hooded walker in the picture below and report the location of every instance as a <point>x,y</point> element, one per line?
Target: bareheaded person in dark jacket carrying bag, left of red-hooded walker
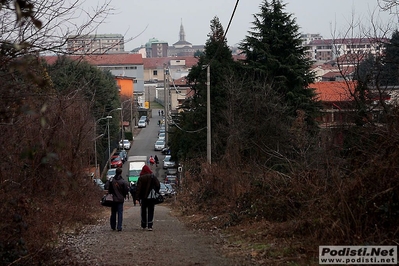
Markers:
<point>119,188</point>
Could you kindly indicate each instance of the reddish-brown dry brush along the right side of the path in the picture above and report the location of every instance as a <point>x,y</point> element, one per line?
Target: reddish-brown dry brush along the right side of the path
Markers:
<point>351,200</point>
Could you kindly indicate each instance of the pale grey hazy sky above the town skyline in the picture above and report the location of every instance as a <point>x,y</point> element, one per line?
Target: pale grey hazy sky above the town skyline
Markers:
<point>161,18</point>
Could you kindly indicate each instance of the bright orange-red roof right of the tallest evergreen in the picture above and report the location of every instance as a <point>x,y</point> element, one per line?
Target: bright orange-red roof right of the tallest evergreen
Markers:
<point>334,91</point>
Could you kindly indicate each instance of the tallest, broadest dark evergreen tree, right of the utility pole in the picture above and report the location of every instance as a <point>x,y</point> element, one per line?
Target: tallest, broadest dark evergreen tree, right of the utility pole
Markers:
<point>274,54</point>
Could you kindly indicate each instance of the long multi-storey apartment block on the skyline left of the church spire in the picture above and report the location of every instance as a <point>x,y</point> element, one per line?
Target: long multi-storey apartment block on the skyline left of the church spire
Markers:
<point>95,44</point>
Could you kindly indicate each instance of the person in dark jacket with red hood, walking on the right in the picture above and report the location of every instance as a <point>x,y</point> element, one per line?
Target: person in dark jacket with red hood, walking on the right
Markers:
<point>146,182</point>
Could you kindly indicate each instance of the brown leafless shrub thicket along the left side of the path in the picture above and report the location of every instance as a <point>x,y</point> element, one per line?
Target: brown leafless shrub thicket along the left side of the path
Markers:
<point>42,189</point>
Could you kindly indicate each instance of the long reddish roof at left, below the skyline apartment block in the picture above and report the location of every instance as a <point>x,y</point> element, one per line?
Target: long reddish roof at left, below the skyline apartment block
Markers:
<point>103,59</point>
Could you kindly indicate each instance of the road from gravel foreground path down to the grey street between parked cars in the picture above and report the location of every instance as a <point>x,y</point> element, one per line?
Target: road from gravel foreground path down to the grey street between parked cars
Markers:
<point>171,242</point>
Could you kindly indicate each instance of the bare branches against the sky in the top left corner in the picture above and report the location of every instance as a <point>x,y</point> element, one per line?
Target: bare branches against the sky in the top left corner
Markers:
<point>44,26</point>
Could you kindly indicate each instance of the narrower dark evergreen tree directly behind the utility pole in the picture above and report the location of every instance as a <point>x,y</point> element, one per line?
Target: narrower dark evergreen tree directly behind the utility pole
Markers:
<point>219,57</point>
